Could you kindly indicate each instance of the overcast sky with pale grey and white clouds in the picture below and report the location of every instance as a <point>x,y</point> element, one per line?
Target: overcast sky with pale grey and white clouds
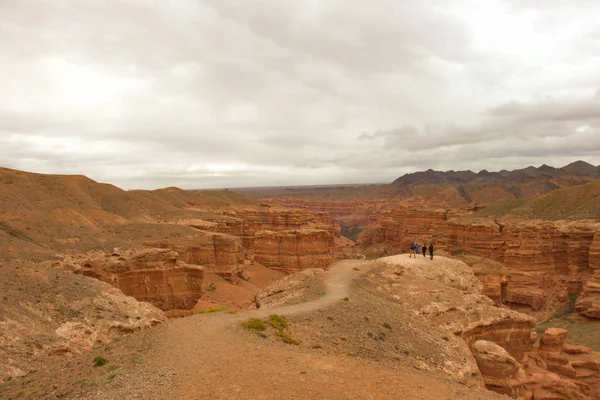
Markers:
<point>222,93</point>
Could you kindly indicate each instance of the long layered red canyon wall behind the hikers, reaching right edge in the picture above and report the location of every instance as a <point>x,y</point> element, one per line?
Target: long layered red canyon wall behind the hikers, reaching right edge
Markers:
<point>545,260</point>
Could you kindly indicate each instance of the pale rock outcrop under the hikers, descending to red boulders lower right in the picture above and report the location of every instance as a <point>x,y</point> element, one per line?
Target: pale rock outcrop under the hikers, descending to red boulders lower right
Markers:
<point>446,294</point>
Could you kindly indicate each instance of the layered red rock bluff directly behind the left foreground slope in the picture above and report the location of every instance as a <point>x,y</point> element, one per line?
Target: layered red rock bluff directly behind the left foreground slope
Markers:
<point>155,276</point>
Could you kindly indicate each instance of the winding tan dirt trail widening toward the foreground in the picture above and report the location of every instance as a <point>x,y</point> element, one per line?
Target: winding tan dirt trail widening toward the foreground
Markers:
<point>206,357</point>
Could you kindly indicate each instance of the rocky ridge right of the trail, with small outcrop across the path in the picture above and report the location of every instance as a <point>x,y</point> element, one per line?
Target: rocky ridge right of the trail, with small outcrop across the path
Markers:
<point>433,316</point>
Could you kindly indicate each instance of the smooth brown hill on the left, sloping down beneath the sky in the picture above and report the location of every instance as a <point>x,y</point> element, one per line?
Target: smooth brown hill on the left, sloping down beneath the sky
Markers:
<point>41,214</point>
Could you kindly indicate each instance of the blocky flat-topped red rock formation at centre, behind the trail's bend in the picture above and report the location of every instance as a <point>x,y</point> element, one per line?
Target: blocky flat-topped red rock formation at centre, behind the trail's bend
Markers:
<point>293,250</point>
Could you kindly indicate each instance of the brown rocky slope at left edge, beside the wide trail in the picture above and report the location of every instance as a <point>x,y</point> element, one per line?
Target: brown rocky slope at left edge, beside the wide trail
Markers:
<point>48,313</point>
